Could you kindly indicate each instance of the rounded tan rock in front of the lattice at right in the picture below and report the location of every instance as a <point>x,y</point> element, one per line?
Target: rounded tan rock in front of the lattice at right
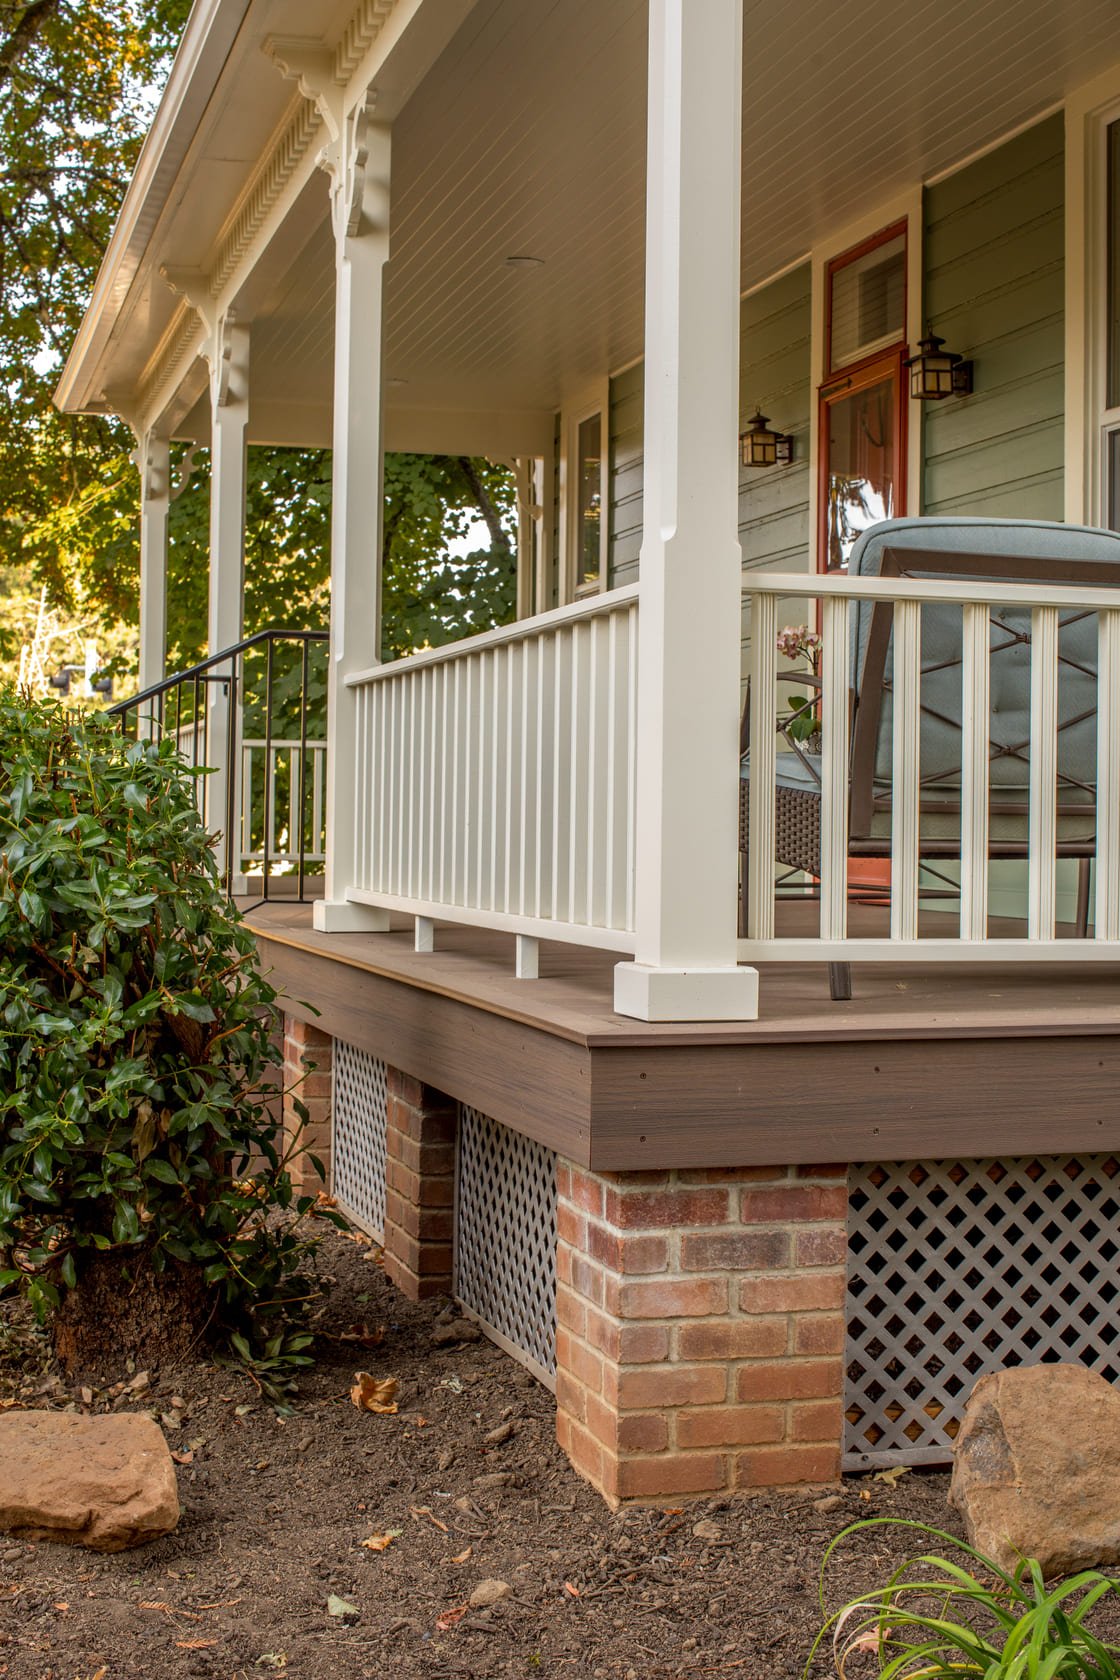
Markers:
<point>1037,1469</point>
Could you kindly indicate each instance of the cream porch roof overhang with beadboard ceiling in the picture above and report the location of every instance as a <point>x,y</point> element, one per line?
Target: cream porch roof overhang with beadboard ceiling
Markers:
<point>520,130</point>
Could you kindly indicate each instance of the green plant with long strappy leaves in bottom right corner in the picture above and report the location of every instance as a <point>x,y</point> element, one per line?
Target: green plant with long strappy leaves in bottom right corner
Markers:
<point>945,1620</point>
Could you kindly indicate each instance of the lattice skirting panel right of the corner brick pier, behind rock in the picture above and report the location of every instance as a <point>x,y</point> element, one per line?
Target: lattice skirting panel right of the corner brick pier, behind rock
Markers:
<point>963,1268</point>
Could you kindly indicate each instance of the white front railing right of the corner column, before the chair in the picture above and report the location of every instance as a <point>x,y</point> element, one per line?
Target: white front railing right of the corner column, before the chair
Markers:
<point>976,599</point>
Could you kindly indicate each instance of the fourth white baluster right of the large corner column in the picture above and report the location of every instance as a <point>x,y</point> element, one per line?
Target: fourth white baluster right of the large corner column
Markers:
<point>975,769</point>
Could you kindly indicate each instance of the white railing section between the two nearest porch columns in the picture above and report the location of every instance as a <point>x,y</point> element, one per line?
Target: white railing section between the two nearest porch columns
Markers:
<point>496,777</point>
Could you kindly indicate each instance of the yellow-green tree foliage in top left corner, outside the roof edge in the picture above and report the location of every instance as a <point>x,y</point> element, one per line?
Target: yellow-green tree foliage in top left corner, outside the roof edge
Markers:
<point>76,95</point>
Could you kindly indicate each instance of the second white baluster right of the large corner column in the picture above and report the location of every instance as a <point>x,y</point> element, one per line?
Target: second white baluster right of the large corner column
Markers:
<point>835,688</point>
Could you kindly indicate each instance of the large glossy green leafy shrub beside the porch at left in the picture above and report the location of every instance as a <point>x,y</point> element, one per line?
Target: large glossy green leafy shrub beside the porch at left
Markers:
<point>135,1037</point>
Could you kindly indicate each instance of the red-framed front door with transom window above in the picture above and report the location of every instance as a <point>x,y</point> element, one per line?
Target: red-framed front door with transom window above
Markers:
<point>862,424</point>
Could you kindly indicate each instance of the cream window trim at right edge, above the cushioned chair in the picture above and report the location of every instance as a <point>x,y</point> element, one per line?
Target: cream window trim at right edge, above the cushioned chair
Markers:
<point>1089,113</point>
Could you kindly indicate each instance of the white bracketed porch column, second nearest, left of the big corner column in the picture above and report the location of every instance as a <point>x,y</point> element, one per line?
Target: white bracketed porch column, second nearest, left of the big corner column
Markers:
<point>360,169</point>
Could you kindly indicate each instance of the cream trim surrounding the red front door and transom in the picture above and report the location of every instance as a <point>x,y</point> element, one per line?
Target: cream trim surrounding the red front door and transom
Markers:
<point>906,206</point>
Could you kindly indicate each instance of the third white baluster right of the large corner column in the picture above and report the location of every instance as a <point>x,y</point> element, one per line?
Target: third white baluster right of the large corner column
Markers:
<point>906,770</point>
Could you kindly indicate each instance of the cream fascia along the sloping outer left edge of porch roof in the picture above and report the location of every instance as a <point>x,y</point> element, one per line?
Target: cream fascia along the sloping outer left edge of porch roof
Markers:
<point>199,63</point>
